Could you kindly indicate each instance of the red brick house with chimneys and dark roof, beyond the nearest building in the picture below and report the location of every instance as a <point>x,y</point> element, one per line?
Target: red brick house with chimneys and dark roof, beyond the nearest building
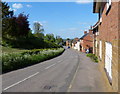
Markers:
<point>86,41</point>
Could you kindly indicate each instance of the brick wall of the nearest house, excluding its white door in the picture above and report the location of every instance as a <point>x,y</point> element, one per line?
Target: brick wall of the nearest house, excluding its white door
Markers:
<point>108,32</point>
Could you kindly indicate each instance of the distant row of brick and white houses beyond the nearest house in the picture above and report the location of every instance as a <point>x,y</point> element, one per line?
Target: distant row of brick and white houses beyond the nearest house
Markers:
<point>83,43</point>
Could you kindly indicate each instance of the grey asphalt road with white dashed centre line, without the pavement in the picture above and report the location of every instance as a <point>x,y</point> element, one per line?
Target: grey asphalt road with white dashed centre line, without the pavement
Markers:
<point>53,75</point>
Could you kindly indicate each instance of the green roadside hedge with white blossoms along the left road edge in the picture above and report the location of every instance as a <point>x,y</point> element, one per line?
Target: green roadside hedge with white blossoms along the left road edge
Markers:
<point>15,61</point>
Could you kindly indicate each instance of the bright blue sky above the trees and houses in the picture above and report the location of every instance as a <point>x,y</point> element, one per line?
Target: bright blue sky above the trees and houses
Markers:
<point>66,19</point>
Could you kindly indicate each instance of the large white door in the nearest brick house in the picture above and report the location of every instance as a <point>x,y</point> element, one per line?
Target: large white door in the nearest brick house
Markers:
<point>108,59</point>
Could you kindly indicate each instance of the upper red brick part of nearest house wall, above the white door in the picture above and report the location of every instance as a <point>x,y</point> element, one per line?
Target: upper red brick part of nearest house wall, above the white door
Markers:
<point>108,30</point>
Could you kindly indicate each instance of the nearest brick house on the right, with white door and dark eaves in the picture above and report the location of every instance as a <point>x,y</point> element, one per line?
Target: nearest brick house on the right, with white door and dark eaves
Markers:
<point>107,40</point>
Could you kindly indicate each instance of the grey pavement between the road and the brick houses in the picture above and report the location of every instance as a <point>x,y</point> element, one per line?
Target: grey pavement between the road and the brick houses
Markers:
<point>87,78</point>
